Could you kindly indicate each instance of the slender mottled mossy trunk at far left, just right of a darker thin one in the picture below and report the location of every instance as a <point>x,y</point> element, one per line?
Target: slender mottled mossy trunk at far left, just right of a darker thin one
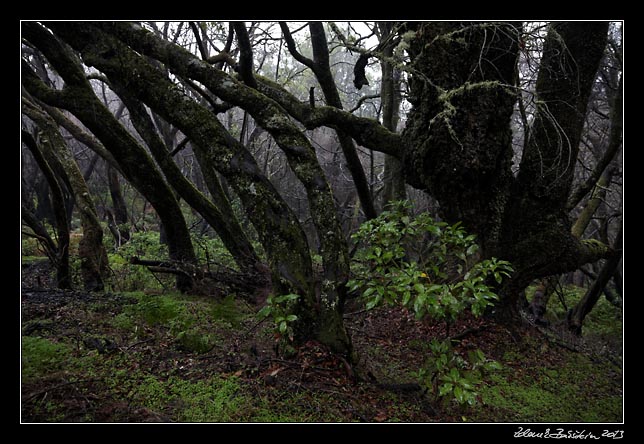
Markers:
<point>90,249</point>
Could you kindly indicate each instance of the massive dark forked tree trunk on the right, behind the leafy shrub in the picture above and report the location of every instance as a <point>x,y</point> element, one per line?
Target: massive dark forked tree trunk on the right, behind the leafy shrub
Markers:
<point>459,141</point>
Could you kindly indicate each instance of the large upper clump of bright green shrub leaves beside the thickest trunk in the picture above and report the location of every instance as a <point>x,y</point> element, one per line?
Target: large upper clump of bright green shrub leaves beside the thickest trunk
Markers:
<point>427,266</point>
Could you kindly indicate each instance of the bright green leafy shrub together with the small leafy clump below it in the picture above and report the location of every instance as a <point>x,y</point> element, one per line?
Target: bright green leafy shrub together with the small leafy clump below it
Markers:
<point>431,269</point>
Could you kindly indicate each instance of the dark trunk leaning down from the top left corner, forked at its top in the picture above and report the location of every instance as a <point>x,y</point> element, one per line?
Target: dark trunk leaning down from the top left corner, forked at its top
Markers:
<point>78,97</point>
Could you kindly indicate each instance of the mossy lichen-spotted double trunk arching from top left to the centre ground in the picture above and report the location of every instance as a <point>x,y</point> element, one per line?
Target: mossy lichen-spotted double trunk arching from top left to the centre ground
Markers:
<point>319,309</point>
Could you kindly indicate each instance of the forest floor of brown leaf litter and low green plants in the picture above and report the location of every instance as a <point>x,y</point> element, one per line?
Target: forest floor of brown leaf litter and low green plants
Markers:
<point>167,357</point>
